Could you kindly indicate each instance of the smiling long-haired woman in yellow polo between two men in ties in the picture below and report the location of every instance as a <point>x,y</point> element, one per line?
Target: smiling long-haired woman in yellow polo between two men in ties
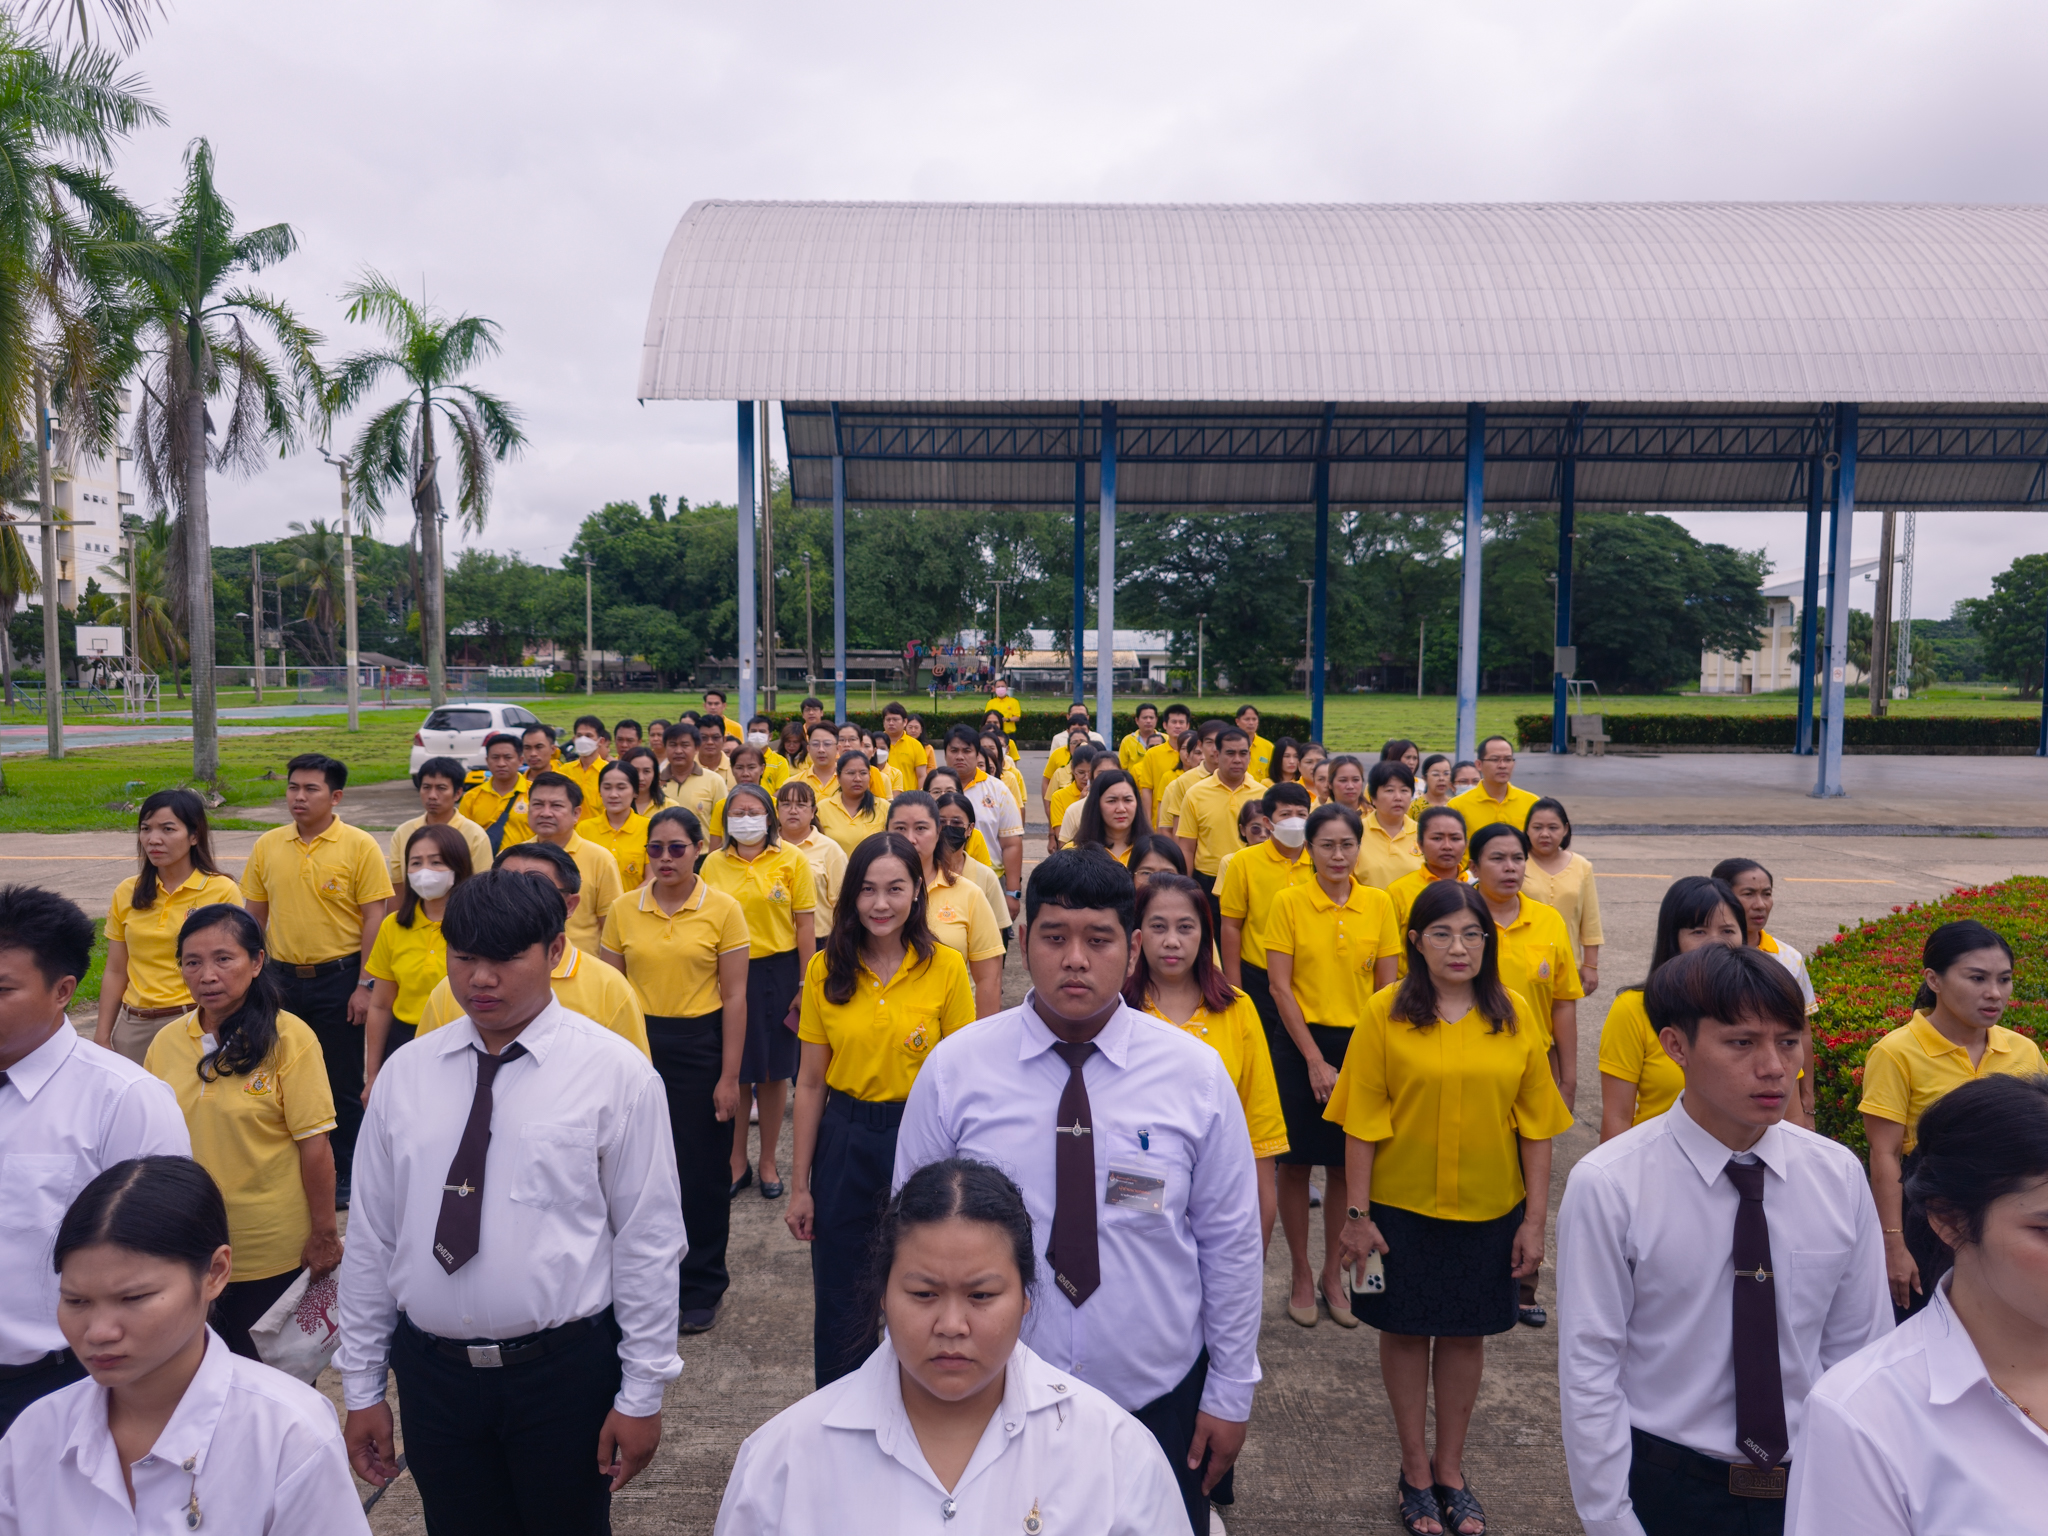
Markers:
<point>876,1000</point>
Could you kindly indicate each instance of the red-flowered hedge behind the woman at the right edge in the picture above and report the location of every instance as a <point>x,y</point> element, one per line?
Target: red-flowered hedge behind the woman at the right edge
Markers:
<point>1867,978</point>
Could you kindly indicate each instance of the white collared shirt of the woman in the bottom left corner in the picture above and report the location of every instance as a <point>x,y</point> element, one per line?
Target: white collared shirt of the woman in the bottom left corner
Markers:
<point>259,1451</point>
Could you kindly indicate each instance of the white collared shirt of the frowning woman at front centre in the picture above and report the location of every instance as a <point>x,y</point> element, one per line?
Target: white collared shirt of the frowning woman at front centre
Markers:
<point>847,1459</point>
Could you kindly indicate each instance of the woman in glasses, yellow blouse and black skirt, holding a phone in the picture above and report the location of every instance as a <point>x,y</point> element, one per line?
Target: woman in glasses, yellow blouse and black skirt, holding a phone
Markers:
<point>1449,1109</point>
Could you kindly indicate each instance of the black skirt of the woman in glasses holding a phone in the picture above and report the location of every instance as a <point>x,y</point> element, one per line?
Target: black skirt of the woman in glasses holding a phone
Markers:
<point>1445,1279</point>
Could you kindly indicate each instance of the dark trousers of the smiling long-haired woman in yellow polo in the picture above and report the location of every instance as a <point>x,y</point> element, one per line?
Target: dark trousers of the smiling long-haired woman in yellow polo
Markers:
<point>851,1177</point>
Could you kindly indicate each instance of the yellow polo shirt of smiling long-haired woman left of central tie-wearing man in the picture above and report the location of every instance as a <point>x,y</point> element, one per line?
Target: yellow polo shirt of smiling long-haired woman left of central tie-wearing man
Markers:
<point>884,1033</point>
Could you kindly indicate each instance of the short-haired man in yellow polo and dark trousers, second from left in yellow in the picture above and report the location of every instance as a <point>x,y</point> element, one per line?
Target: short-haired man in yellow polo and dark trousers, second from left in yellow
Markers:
<point>321,890</point>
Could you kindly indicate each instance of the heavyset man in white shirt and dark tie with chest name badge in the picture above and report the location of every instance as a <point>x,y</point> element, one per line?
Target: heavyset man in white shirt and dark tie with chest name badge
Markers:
<point>1132,1150</point>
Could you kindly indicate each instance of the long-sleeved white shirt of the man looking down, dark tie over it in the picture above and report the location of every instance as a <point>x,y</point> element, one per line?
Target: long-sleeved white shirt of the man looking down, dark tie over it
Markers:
<point>581,1203</point>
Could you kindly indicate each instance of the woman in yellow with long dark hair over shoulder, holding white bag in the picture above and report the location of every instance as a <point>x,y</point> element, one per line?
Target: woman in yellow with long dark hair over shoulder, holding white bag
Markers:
<point>257,1103</point>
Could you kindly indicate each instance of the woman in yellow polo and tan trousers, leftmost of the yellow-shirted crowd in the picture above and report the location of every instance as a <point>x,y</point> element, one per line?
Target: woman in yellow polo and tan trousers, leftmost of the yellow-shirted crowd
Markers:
<point>142,988</point>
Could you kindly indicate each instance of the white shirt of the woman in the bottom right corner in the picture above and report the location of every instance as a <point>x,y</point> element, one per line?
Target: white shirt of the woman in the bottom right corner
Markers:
<point>1910,1439</point>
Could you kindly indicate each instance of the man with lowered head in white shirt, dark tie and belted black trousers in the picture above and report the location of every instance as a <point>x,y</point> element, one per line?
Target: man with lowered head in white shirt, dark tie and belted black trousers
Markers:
<point>513,1244</point>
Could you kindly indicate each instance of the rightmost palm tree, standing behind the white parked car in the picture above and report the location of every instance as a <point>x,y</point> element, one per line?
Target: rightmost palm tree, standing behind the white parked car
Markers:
<point>396,447</point>
